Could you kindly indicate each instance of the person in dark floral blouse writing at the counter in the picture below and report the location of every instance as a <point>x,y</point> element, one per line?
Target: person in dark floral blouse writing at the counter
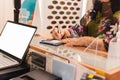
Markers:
<point>98,22</point>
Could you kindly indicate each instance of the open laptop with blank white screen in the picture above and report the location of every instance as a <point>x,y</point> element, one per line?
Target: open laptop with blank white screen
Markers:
<point>14,42</point>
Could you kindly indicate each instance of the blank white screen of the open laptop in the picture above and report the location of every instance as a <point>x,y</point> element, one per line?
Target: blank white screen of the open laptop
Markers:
<point>15,38</point>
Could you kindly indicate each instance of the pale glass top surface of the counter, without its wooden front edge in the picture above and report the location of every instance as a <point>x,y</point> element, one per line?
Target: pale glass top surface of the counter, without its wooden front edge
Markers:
<point>91,57</point>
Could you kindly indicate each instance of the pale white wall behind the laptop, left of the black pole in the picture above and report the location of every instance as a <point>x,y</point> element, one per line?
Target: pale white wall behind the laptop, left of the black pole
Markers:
<point>6,12</point>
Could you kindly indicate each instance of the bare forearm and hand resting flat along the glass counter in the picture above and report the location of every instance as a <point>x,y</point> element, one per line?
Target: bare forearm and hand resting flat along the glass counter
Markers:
<point>85,42</point>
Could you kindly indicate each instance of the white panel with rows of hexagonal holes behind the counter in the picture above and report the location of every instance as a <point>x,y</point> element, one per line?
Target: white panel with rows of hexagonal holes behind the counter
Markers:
<point>65,13</point>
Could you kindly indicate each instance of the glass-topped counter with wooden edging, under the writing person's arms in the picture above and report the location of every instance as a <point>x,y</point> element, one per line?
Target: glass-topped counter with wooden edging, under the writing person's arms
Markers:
<point>89,58</point>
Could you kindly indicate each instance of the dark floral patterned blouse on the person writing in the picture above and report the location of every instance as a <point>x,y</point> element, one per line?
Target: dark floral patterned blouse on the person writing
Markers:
<point>99,26</point>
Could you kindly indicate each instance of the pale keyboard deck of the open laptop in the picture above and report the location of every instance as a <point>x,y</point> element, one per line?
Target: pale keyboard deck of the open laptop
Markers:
<point>6,61</point>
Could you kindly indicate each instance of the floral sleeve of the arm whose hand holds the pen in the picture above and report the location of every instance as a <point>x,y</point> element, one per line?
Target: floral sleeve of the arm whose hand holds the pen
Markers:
<point>81,30</point>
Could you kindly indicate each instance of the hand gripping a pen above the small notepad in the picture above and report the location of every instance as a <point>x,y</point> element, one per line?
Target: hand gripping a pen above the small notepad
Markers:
<point>60,35</point>
